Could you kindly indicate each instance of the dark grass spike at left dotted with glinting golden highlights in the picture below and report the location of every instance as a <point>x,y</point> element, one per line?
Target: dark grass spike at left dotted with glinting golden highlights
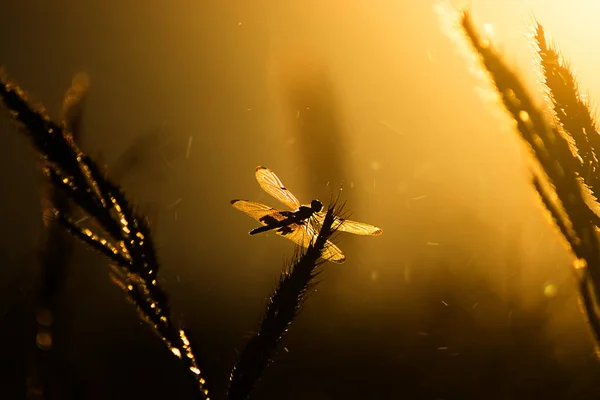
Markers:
<point>82,181</point>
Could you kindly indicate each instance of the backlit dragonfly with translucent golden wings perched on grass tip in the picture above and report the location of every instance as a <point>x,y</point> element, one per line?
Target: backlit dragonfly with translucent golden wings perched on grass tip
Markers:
<point>297,224</point>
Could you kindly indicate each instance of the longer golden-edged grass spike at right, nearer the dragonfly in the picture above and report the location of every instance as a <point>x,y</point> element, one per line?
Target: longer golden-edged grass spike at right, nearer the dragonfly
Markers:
<point>553,153</point>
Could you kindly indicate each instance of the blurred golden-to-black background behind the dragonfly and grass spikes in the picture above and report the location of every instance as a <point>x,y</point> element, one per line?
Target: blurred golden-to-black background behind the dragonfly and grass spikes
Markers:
<point>467,295</point>
